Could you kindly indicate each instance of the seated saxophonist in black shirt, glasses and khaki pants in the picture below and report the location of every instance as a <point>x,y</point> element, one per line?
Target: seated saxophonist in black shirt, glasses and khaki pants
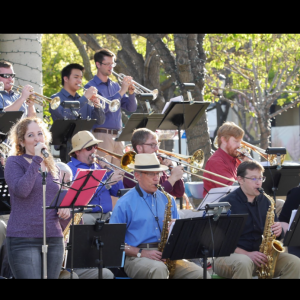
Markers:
<point>246,199</point>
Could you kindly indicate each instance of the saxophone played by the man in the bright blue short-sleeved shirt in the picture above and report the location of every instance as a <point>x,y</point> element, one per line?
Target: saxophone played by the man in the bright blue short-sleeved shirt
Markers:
<point>165,231</point>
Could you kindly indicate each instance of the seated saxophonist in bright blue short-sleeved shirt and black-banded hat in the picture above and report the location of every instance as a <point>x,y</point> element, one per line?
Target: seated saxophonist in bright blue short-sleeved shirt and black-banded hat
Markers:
<point>143,209</point>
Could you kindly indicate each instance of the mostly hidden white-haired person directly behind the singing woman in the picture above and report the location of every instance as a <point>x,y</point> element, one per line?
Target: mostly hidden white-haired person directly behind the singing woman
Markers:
<point>89,273</point>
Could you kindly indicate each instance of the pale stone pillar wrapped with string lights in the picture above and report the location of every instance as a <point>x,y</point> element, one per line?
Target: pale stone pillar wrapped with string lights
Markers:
<point>24,51</point>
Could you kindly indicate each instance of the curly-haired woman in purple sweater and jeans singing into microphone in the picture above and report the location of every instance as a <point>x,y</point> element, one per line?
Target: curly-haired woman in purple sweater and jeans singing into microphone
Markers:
<point>29,138</point>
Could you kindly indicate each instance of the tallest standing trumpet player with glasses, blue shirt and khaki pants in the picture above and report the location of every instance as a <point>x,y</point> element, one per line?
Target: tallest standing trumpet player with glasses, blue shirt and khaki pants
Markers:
<point>105,62</point>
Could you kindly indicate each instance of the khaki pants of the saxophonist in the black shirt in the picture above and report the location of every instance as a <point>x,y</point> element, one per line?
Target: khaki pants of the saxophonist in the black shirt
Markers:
<point>240,266</point>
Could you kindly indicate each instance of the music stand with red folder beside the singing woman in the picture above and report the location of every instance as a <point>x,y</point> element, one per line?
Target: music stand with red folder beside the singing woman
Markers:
<point>79,194</point>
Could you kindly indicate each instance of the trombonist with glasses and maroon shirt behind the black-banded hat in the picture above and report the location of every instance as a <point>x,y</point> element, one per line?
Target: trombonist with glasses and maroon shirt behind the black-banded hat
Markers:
<point>144,140</point>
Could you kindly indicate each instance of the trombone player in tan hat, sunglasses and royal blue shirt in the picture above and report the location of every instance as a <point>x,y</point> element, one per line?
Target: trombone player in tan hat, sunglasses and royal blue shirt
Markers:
<point>83,157</point>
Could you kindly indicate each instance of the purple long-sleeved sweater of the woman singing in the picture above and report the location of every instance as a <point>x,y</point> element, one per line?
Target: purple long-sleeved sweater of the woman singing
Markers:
<point>26,197</point>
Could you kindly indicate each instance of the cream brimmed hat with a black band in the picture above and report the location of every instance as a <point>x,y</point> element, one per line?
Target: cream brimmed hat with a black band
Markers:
<point>147,162</point>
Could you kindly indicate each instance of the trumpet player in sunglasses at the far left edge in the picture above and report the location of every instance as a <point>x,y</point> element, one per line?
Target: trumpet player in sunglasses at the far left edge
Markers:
<point>11,101</point>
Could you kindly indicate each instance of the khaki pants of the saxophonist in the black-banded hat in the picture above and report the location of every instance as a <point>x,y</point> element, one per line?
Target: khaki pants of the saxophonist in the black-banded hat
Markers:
<point>145,268</point>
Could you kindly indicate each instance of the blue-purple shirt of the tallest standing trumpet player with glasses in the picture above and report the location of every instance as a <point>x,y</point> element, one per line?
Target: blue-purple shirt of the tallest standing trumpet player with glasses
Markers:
<point>110,91</point>
